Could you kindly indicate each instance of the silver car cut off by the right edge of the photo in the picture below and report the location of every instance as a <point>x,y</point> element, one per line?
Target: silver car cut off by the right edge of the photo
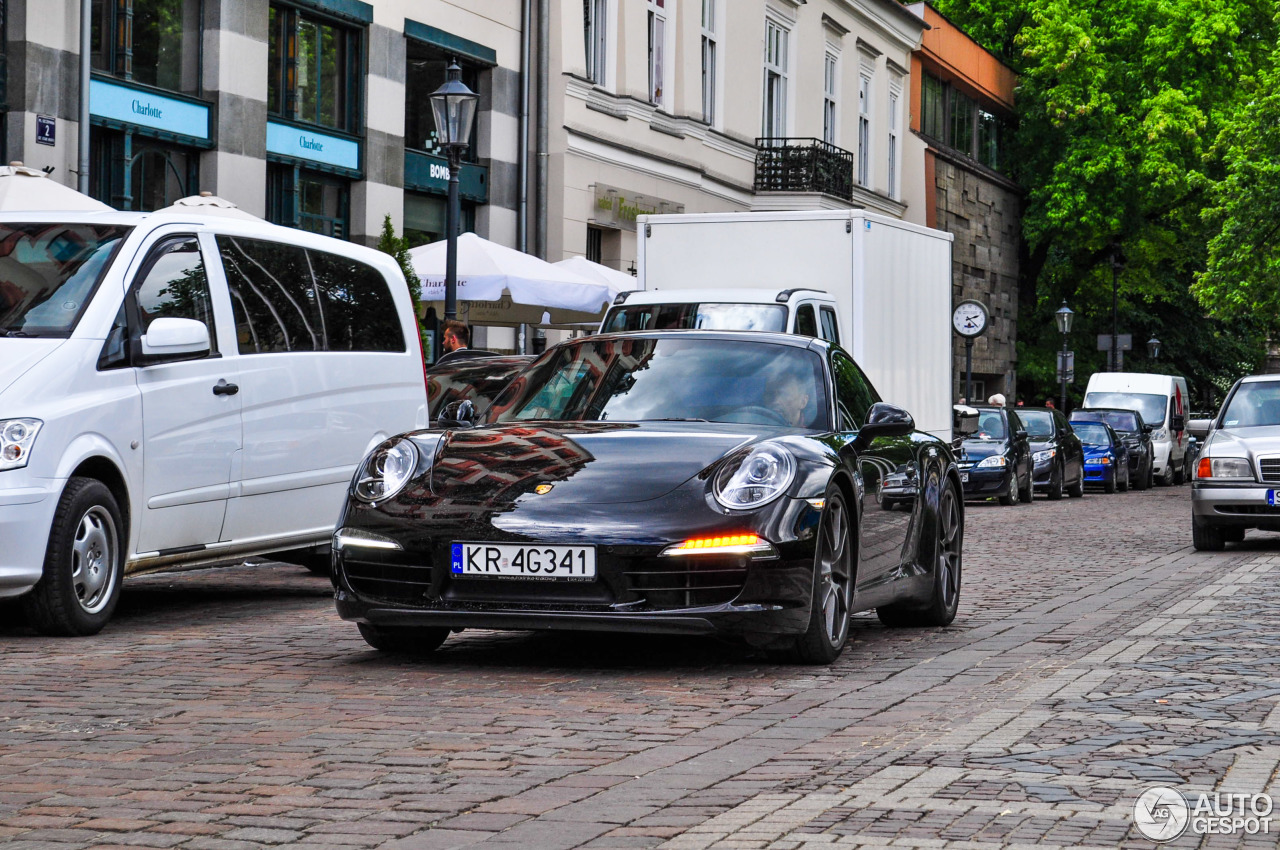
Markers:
<point>1237,485</point>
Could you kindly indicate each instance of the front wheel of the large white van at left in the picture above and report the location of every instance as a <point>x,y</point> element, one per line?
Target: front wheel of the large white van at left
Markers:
<point>84,564</point>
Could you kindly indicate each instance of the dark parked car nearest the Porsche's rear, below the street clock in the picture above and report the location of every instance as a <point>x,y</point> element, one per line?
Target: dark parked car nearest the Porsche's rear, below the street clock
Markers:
<point>995,461</point>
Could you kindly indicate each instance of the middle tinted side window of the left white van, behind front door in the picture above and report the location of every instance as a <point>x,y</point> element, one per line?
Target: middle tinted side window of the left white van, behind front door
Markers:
<point>273,296</point>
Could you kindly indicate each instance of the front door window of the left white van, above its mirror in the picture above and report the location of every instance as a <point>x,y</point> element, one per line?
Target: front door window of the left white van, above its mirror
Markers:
<point>173,286</point>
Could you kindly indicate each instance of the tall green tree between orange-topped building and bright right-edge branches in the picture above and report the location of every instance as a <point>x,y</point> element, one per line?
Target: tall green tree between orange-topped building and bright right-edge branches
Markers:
<point>1121,115</point>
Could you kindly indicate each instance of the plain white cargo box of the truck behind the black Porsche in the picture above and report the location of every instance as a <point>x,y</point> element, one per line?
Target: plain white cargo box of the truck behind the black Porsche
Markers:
<point>890,280</point>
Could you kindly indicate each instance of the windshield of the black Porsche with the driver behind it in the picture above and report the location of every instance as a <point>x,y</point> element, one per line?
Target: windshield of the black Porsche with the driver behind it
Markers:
<point>717,381</point>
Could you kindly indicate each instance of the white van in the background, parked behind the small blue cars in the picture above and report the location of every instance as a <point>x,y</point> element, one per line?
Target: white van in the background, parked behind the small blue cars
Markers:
<point>1163,403</point>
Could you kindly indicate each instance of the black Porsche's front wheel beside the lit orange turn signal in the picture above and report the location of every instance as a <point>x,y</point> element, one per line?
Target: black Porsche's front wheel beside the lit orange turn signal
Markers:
<point>833,586</point>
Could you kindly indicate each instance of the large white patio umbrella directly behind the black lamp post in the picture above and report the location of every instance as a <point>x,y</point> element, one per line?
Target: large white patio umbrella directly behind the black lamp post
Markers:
<point>500,286</point>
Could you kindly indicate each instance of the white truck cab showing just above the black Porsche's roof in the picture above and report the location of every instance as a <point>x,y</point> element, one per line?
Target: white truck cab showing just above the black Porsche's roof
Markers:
<point>808,313</point>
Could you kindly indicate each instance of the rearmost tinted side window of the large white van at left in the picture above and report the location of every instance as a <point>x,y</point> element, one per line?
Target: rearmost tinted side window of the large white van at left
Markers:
<point>356,305</point>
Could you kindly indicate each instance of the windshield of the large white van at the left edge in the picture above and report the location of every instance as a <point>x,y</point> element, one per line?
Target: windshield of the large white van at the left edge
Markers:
<point>49,273</point>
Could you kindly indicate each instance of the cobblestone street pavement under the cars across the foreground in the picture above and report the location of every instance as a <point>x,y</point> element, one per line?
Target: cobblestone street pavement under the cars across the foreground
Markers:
<point>1096,656</point>
